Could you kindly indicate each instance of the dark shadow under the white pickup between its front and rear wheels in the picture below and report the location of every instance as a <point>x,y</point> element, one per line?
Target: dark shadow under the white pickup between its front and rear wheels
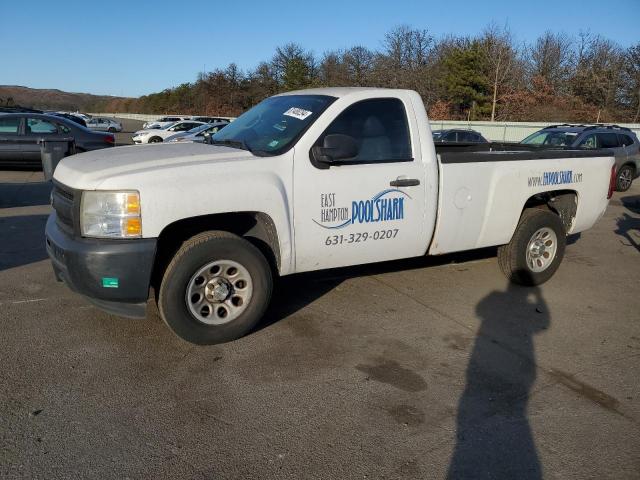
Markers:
<point>294,292</point>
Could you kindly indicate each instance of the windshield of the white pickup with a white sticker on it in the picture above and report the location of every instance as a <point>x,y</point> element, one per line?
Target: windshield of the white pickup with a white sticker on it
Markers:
<point>274,125</point>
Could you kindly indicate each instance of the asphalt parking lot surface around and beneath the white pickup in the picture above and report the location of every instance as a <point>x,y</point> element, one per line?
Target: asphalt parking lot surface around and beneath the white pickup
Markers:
<point>425,368</point>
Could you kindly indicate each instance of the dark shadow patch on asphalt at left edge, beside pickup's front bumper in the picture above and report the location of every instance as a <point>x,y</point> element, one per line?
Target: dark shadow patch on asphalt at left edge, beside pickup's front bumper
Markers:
<point>22,240</point>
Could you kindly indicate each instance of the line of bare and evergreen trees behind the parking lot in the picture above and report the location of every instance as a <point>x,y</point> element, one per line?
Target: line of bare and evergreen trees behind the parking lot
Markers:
<point>489,76</point>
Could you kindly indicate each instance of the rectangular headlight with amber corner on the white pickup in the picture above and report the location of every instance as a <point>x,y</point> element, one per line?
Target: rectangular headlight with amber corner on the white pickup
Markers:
<point>110,214</point>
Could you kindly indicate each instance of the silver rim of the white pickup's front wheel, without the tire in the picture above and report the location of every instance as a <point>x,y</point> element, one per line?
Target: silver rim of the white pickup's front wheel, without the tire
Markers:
<point>219,292</point>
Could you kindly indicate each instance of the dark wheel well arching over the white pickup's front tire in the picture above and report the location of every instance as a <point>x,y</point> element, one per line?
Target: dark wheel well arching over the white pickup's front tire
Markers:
<point>256,227</point>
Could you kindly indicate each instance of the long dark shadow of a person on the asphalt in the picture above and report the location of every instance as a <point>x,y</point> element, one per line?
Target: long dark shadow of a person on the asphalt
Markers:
<point>494,439</point>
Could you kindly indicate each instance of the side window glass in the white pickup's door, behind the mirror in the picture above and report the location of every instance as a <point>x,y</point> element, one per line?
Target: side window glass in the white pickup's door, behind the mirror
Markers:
<point>379,128</point>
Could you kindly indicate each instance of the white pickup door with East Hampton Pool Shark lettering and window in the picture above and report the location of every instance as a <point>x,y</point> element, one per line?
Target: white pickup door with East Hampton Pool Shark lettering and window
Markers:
<point>368,208</point>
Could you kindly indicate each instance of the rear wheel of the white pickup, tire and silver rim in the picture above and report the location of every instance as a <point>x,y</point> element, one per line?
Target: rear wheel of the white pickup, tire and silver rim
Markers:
<point>536,249</point>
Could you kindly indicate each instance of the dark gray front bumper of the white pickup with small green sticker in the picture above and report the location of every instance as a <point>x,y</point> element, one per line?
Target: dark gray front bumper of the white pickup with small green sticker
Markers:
<point>113,274</point>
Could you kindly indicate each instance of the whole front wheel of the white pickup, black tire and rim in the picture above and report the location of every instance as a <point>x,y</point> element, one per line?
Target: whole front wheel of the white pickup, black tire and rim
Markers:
<point>216,288</point>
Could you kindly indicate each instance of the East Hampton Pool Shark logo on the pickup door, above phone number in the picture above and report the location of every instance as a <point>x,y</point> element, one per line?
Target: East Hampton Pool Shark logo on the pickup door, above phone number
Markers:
<point>385,206</point>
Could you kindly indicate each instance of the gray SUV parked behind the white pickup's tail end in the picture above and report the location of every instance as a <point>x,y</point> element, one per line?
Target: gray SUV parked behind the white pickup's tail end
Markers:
<point>622,141</point>
